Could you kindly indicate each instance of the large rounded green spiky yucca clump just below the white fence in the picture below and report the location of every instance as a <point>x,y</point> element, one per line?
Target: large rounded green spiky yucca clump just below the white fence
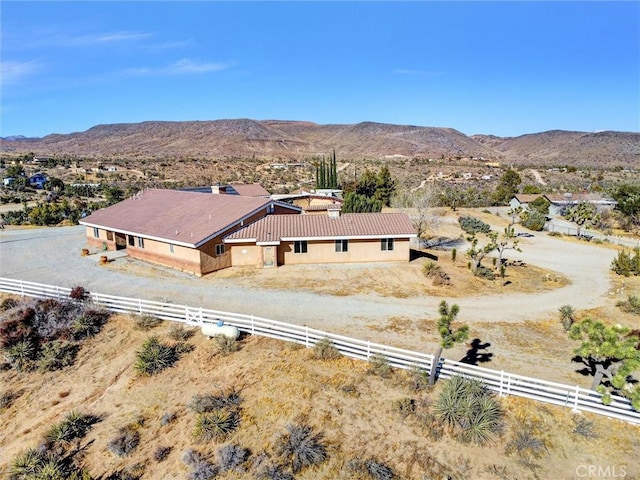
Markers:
<point>468,408</point>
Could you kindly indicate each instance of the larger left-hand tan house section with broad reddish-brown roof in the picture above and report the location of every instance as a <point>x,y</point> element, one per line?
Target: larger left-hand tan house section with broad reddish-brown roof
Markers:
<point>183,230</point>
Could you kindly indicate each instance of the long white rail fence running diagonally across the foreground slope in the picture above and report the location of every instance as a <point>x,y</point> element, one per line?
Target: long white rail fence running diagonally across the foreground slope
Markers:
<point>504,383</point>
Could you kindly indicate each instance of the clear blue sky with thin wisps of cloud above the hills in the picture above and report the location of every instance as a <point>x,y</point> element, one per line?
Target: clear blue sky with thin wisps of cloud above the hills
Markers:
<point>502,68</point>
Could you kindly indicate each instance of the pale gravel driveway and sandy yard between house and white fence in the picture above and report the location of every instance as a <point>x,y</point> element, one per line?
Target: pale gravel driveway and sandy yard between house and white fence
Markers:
<point>520,327</point>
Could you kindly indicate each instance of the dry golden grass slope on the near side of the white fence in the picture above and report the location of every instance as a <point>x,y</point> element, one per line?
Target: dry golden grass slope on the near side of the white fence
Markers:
<point>279,385</point>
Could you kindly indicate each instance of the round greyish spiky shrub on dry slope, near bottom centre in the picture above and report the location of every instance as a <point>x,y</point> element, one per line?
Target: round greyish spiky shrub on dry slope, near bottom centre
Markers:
<point>300,447</point>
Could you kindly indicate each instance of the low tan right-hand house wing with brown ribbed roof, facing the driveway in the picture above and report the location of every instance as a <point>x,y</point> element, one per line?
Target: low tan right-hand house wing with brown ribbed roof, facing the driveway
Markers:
<point>321,239</point>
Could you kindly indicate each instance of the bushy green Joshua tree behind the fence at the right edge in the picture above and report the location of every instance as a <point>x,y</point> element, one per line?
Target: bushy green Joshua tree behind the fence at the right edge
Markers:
<point>612,355</point>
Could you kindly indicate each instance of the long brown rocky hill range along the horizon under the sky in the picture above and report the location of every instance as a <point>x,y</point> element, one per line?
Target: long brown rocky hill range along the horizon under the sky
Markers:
<point>291,141</point>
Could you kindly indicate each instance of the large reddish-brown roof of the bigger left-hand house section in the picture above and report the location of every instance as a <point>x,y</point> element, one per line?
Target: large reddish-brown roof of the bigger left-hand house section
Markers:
<point>174,216</point>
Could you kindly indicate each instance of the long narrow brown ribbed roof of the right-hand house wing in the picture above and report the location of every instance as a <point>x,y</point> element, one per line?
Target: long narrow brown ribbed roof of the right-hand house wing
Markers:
<point>349,225</point>
